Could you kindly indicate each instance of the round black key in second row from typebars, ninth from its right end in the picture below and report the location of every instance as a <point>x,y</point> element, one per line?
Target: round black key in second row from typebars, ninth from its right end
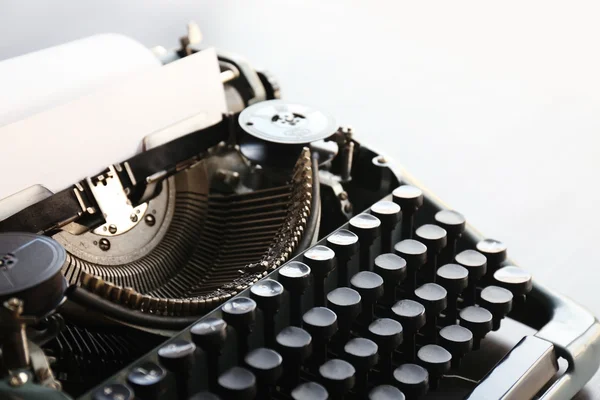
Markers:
<point>266,365</point>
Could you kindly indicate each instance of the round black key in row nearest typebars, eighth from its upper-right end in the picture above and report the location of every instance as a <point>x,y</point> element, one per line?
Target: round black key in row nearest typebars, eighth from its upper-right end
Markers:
<point>240,313</point>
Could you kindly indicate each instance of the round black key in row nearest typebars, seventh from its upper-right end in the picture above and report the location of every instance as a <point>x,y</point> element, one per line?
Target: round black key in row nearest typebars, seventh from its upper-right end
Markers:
<point>267,294</point>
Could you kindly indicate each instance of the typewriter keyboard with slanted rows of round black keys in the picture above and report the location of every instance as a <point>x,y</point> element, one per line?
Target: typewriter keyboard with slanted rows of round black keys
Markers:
<point>386,307</point>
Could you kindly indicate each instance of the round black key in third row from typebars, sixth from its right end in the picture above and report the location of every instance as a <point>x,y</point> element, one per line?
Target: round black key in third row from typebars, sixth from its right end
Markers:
<point>387,333</point>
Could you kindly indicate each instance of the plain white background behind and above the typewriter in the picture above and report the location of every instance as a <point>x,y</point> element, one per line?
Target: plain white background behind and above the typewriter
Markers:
<point>494,106</point>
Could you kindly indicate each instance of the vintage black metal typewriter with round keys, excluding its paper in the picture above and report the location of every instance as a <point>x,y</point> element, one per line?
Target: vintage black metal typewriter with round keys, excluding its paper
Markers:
<point>271,256</point>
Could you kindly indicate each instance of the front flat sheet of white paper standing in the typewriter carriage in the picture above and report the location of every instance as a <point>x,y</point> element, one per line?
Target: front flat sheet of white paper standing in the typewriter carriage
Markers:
<point>108,126</point>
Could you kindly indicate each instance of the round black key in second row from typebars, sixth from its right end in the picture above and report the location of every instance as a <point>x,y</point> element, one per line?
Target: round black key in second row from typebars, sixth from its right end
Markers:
<point>346,304</point>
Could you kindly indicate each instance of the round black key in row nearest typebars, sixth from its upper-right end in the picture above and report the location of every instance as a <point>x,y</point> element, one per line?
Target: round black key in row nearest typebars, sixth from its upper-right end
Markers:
<point>295,278</point>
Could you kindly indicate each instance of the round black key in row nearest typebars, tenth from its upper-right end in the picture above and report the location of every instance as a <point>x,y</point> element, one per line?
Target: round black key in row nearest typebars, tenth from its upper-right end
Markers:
<point>178,358</point>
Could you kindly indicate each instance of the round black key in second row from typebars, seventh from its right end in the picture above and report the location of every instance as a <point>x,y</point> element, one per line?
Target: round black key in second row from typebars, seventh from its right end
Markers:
<point>321,323</point>
